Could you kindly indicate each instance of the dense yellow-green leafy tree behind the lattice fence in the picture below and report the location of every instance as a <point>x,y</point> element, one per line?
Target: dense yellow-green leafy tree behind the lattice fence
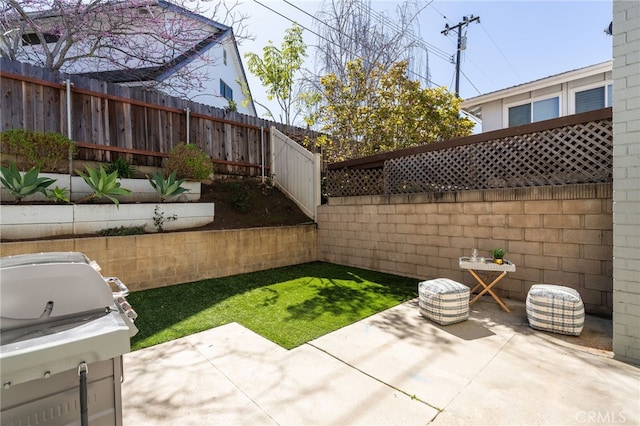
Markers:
<point>379,111</point>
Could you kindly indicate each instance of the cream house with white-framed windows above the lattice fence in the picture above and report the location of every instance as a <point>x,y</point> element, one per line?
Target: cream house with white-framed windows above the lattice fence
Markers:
<point>572,92</point>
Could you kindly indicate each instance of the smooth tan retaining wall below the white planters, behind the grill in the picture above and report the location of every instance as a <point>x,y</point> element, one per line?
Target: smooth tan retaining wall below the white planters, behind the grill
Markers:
<point>157,260</point>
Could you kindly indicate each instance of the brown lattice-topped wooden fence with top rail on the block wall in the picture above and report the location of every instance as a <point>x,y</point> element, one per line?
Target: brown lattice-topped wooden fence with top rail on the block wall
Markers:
<point>568,150</point>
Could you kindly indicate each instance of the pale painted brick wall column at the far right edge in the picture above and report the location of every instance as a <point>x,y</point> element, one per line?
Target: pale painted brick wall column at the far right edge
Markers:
<point>626,180</point>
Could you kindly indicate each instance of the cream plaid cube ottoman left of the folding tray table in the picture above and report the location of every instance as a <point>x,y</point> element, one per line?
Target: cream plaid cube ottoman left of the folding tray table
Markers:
<point>443,301</point>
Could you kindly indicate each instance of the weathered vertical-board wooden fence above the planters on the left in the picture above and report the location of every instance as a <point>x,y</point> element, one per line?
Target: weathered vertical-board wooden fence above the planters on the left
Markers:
<point>109,120</point>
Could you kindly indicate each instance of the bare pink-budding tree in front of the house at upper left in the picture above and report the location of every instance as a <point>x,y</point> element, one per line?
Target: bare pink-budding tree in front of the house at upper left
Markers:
<point>86,36</point>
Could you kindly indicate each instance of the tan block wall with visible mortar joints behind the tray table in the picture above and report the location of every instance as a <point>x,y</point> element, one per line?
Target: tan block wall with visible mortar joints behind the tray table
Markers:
<point>557,235</point>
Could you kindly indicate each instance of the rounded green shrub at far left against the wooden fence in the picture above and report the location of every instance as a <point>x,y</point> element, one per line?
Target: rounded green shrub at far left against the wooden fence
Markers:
<point>43,150</point>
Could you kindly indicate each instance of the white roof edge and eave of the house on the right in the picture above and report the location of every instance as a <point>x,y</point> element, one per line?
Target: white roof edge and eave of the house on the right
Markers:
<point>474,105</point>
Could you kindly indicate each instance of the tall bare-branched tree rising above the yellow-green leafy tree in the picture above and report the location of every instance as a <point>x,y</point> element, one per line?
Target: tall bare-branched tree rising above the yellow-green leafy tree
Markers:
<point>349,30</point>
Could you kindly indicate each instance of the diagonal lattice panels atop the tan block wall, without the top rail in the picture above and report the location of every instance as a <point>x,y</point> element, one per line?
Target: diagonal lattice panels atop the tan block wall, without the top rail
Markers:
<point>581,153</point>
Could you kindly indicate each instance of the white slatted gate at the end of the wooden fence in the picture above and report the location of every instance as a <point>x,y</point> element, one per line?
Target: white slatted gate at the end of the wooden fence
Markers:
<point>296,172</point>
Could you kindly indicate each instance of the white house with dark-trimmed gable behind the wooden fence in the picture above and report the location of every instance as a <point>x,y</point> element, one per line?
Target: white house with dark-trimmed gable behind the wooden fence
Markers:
<point>211,61</point>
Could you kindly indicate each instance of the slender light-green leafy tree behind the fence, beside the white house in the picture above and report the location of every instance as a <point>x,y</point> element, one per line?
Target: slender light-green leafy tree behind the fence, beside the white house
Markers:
<point>277,70</point>
